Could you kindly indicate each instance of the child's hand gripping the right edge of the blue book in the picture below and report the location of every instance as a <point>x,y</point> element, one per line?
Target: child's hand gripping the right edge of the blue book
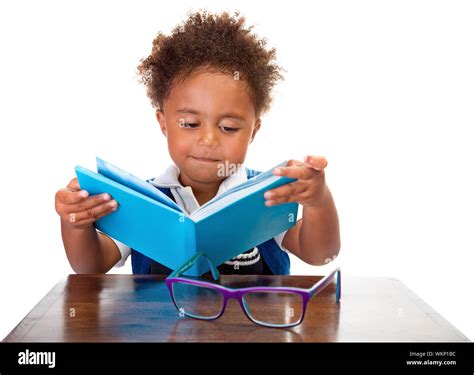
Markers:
<point>310,188</point>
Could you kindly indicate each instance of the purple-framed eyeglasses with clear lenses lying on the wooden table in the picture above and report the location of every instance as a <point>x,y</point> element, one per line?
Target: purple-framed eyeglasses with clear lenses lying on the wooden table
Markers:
<point>277,307</point>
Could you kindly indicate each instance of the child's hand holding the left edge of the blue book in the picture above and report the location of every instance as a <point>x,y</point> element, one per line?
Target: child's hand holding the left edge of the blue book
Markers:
<point>79,210</point>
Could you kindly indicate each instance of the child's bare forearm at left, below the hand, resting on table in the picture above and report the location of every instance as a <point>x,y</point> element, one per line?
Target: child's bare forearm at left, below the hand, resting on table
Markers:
<point>87,250</point>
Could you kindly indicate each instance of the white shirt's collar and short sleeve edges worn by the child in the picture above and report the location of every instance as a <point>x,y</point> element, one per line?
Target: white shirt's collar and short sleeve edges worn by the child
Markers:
<point>185,198</point>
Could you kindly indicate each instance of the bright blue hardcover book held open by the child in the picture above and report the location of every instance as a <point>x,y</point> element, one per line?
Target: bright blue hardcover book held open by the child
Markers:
<point>150,222</point>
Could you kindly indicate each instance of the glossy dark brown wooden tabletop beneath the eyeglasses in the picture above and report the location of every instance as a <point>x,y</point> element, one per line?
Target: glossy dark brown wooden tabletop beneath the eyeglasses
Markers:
<point>118,308</point>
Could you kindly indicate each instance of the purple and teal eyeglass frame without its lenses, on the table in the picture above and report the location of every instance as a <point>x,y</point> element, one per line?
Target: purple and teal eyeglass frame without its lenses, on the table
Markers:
<point>238,293</point>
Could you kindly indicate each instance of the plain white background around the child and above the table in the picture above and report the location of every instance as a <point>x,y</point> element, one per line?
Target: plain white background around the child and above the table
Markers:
<point>383,89</point>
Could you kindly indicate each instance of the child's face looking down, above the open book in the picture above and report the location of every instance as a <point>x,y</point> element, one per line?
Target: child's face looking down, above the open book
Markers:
<point>209,121</point>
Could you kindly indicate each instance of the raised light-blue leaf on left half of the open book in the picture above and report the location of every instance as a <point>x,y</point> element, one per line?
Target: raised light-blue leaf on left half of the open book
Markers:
<point>118,175</point>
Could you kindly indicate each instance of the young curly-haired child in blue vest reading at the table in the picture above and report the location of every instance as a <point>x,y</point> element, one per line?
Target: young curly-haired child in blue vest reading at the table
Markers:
<point>210,81</point>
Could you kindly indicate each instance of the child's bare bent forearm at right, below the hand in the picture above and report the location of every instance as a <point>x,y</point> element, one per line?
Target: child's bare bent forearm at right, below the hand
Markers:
<point>315,238</point>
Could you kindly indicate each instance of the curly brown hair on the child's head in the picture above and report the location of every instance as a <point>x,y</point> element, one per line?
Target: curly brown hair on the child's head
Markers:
<point>219,42</point>
